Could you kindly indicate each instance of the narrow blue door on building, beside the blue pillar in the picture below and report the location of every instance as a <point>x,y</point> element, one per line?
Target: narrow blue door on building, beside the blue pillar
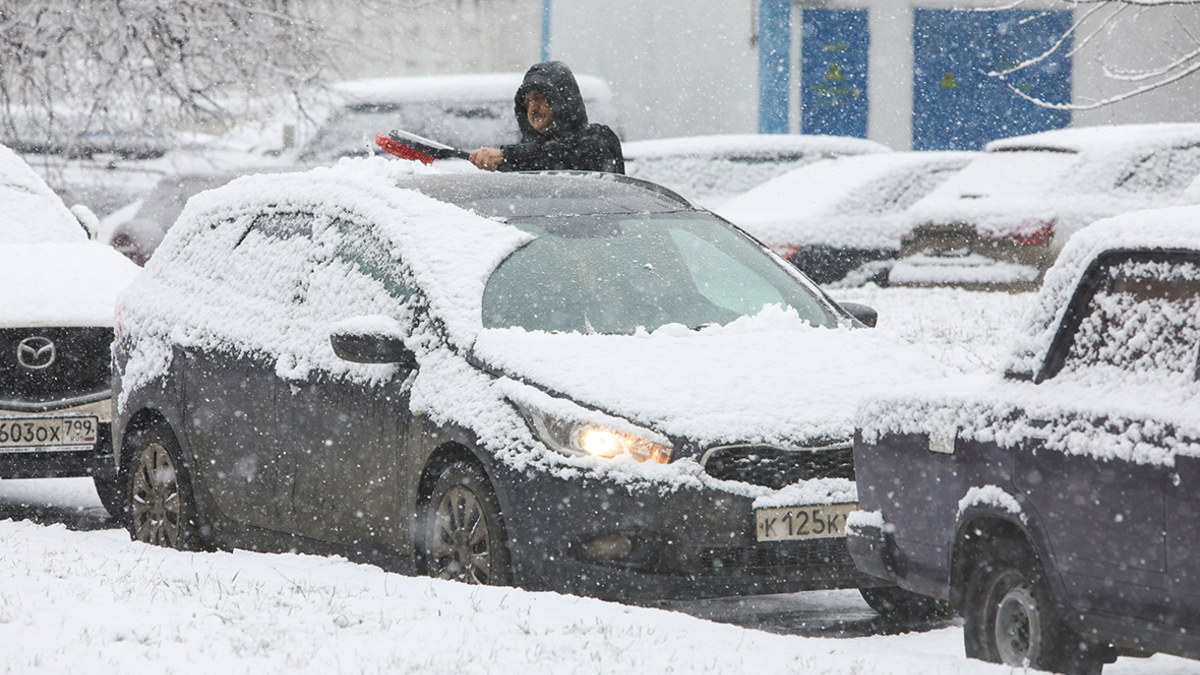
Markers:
<point>833,73</point>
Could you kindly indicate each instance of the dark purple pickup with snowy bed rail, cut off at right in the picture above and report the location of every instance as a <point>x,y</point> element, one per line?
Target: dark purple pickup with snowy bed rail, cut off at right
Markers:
<point>1058,509</point>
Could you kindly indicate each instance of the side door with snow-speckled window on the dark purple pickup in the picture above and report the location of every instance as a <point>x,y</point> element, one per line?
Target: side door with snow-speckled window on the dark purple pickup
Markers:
<point>1103,499</point>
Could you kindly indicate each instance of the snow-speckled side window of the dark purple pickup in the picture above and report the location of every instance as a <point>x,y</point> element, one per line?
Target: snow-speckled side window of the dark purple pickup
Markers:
<point>1142,320</point>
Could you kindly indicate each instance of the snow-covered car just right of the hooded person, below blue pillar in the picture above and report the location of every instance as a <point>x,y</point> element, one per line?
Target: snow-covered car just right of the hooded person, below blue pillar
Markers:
<point>712,170</point>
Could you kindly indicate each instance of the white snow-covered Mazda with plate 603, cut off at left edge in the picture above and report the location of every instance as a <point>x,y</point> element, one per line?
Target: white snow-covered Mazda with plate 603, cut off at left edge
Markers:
<point>59,290</point>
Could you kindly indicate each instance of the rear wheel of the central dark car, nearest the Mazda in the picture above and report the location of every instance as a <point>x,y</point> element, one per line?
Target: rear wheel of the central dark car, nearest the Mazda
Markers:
<point>161,507</point>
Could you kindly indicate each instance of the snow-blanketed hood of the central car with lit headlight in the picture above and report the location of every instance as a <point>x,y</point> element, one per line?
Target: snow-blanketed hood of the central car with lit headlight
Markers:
<point>769,379</point>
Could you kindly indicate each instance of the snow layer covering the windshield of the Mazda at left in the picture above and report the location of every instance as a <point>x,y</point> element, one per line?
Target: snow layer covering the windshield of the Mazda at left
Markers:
<point>32,212</point>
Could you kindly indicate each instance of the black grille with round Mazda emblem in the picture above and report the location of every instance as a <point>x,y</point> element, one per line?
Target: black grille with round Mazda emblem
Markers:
<point>80,367</point>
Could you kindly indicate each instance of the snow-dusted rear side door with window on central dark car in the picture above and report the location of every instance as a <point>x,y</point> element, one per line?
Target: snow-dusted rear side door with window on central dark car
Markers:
<point>230,384</point>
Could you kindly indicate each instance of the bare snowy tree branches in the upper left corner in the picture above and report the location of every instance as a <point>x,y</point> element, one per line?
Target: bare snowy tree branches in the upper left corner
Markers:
<point>76,75</point>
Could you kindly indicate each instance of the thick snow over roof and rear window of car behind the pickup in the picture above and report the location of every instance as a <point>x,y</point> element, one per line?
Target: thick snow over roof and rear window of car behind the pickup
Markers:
<point>1066,180</point>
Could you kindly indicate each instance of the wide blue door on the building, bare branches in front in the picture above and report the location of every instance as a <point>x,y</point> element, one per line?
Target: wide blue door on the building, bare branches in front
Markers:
<point>956,105</point>
